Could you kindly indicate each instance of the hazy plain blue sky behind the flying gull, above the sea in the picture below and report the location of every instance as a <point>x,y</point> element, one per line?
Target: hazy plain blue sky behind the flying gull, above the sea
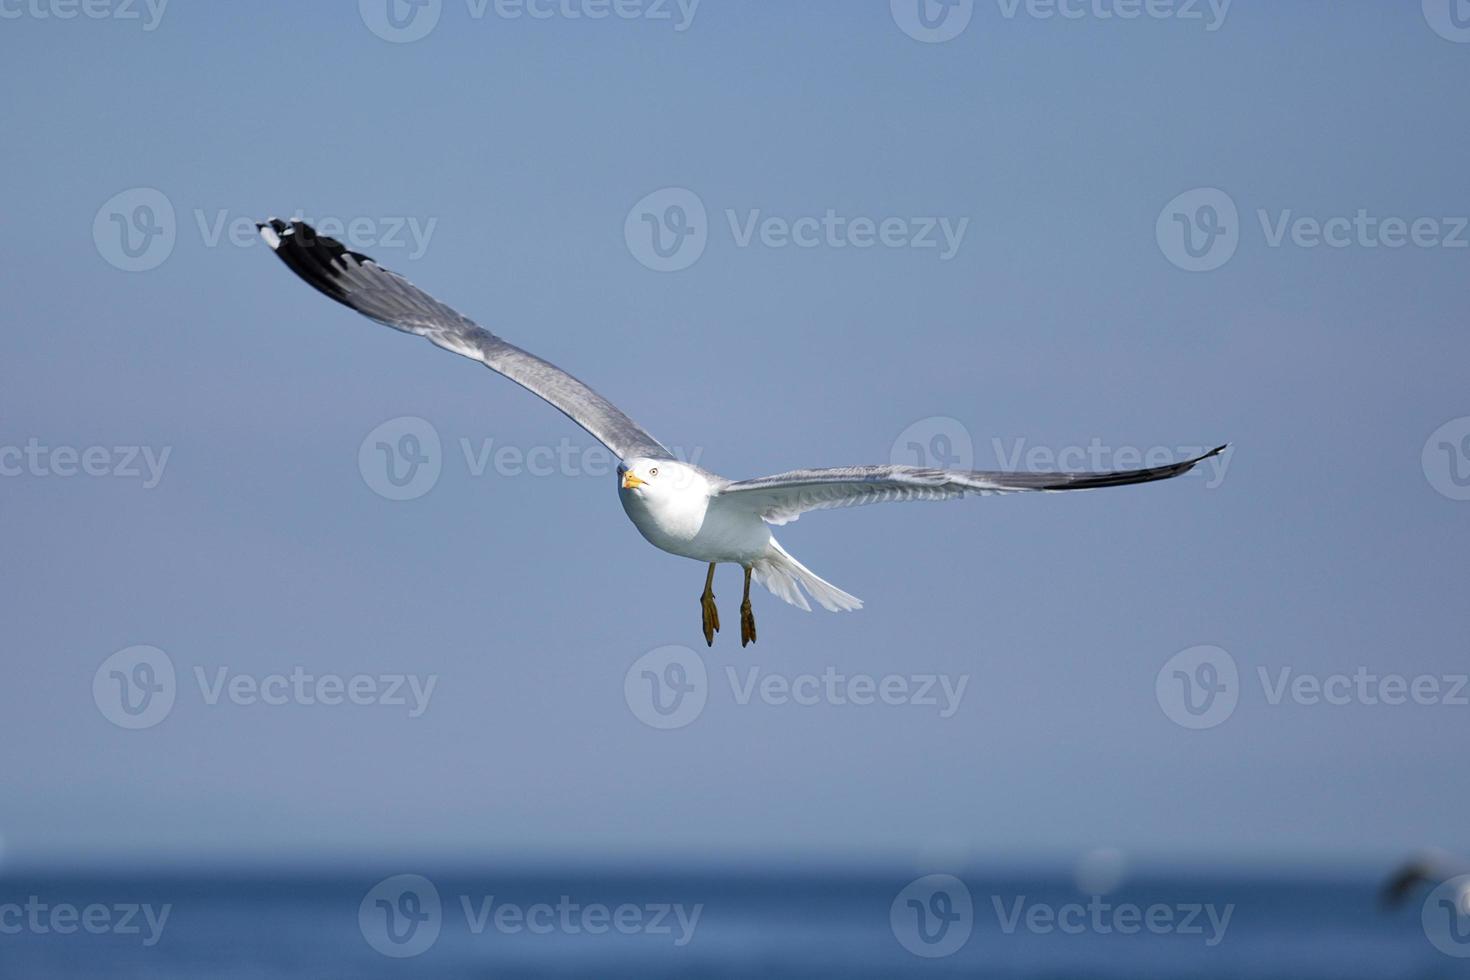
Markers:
<point>503,164</point>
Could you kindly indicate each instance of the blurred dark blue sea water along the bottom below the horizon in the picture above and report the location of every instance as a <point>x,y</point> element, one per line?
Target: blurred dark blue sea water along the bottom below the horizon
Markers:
<point>1012,928</point>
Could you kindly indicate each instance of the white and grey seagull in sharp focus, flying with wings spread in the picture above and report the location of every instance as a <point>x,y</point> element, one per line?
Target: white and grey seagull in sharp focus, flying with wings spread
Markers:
<point>675,506</point>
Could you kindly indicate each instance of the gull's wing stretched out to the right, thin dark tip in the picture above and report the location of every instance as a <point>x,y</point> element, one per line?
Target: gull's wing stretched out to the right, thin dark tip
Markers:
<point>787,496</point>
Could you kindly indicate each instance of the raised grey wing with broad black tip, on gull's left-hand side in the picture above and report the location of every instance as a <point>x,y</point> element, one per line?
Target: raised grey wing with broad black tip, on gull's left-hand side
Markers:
<point>359,283</point>
